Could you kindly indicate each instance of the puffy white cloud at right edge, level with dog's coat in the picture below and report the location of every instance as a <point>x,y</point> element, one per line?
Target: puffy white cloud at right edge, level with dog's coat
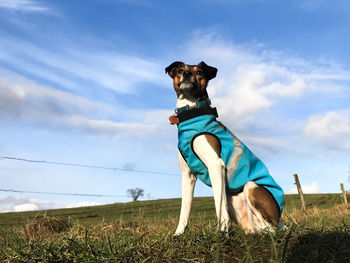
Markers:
<point>331,128</point>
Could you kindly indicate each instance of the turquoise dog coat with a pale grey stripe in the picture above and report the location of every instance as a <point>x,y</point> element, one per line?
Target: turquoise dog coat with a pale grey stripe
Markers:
<point>240,162</point>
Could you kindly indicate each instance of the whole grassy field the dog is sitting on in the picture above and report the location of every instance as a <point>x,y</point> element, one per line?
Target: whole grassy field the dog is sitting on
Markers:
<point>142,232</point>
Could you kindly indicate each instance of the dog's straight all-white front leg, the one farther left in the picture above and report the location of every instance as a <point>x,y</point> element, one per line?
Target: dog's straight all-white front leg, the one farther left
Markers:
<point>187,188</point>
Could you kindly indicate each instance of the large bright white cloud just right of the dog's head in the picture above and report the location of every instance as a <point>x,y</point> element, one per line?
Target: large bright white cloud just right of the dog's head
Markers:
<point>252,80</point>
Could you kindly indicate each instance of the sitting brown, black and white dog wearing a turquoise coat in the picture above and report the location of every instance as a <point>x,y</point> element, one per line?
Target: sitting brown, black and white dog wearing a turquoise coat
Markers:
<point>244,192</point>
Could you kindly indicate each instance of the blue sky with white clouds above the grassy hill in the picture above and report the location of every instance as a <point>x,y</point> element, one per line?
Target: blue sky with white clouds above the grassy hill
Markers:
<point>83,82</point>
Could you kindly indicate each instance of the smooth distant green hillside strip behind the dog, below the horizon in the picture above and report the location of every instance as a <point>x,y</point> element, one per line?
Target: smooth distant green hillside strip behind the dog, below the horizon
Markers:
<point>202,207</point>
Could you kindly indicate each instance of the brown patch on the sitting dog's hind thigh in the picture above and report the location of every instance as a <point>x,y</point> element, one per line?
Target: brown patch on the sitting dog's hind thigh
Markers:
<point>264,202</point>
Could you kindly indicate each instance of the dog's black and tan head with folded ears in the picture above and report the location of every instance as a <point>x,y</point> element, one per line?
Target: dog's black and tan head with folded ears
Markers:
<point>191,78</point>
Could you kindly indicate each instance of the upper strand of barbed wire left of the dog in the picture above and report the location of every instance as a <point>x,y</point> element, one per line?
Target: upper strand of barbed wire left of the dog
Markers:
<point>86,166</point>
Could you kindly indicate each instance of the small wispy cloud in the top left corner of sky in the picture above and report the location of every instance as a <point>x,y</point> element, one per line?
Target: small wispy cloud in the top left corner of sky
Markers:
<point>24,5</point>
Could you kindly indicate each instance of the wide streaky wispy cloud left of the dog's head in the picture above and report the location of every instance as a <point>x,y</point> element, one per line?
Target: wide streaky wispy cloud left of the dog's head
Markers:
<point>74,66</point>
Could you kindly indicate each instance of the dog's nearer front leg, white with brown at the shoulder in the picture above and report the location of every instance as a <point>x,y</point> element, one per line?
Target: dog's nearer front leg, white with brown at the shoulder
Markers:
<point>207,149</point>
